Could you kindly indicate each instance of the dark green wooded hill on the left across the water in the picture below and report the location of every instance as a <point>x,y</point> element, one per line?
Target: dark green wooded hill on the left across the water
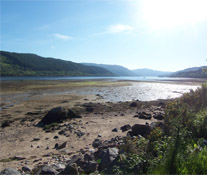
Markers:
<point>22,64</point>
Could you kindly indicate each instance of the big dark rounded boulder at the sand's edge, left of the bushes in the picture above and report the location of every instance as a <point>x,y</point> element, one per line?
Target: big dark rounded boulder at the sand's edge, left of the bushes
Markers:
<point>138,129</point>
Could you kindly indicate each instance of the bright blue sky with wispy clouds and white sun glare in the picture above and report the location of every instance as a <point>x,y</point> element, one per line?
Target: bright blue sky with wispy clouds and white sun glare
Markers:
<point>167,35</point>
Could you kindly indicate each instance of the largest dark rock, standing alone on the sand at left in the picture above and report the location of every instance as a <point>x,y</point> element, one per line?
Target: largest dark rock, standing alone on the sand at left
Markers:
<point>57,115</point>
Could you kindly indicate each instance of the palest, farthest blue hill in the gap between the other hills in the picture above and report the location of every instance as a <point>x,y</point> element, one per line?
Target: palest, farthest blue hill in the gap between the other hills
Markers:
<point>149,72</point>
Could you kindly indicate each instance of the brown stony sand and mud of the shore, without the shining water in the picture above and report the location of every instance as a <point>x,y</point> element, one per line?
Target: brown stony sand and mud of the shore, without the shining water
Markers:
<point>99,123</point>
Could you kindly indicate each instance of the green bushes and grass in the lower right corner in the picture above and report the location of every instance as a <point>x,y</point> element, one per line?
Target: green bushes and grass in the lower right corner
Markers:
<point>180,147</point>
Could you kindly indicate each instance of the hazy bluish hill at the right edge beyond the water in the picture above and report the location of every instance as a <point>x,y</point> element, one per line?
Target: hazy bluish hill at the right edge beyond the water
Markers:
<point>194,72</point>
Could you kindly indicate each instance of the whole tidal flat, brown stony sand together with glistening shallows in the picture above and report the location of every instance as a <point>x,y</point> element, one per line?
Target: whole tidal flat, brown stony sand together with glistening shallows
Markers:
<point>103,106</point>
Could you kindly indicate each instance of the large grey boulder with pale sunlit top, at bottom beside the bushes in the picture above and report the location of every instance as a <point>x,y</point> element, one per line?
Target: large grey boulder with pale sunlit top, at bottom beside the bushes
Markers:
<point>108,157</point>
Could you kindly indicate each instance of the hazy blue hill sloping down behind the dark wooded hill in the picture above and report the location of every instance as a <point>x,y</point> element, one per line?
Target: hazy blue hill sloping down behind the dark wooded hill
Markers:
<point>115,69</point>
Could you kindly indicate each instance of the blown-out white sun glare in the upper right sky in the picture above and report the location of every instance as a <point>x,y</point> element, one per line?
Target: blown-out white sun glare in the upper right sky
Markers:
<point>159,14</point>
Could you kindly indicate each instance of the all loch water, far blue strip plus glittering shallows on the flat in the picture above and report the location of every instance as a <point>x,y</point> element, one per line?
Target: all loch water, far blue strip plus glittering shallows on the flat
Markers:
<point>154,88</point>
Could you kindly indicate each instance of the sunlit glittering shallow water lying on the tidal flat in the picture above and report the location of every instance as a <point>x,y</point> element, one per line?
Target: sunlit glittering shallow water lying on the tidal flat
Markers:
<point>143,91</point>
